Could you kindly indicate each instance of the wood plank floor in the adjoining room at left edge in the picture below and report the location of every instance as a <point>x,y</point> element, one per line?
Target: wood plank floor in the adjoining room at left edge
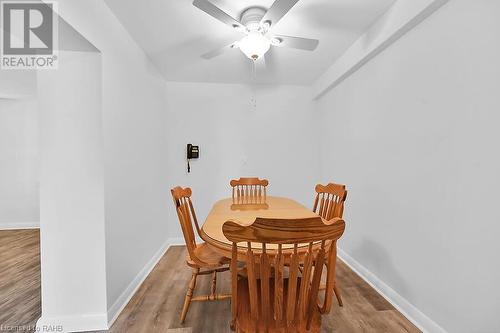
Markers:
<point>20,305</point>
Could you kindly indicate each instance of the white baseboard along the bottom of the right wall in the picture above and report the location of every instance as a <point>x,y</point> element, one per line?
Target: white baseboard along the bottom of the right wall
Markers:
<point>424,323</point>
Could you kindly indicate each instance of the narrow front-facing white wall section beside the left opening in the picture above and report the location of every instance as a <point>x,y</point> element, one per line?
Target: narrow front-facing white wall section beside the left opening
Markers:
<point>72,194</point>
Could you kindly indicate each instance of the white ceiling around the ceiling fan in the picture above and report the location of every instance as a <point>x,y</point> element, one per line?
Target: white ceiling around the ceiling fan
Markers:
<point>174,34</point>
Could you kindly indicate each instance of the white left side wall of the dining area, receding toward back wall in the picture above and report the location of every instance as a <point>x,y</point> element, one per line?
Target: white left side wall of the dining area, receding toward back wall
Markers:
<point>135,149</point>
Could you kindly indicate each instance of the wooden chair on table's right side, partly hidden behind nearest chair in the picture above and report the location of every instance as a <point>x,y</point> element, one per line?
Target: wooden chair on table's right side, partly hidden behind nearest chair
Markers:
<point>329,204</point>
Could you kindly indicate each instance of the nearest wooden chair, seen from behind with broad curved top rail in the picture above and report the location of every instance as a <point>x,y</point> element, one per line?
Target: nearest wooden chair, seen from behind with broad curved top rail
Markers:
<point>275,296</point>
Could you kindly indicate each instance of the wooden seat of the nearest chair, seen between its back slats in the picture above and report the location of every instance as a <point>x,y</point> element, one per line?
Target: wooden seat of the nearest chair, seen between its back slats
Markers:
<point>245,322</point>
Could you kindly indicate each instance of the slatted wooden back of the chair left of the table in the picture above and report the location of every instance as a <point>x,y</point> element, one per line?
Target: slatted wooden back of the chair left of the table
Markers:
<point>187,215</point>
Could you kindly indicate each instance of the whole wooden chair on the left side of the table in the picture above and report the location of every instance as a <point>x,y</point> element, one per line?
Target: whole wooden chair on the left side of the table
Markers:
<point>200,257</point>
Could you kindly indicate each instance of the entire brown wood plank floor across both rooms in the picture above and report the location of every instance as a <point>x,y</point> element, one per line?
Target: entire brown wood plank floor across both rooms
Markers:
<point>157,304</point>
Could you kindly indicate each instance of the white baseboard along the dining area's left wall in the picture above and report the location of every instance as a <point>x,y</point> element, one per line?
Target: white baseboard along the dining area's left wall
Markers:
<point>118,306</point>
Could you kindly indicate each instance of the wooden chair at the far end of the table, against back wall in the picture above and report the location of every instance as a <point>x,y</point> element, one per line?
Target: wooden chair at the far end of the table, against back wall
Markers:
<point>249,190</point>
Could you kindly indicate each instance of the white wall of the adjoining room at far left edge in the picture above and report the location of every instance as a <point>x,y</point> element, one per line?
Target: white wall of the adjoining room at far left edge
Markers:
<point>19,199</point>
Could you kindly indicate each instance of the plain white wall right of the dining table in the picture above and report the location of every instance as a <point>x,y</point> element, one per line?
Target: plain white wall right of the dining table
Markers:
<point>414,134</point>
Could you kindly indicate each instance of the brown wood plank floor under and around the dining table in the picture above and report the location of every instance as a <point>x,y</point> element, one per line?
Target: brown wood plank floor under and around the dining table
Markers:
<point>157,304</point>
